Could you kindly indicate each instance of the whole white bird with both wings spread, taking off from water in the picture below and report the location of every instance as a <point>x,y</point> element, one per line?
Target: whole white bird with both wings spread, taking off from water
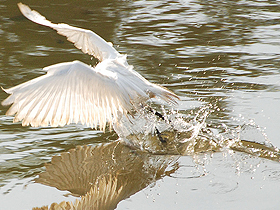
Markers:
<point>76,92</point>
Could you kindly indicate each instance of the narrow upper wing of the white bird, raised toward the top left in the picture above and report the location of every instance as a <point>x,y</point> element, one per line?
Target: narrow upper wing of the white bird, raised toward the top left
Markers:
<point>85,40</point>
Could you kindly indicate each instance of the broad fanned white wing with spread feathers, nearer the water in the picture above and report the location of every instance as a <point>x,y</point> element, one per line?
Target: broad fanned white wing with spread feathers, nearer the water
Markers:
<point>69,92</point>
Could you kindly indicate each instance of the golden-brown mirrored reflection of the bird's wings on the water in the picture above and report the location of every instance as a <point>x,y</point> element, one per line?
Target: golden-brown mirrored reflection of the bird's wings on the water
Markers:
<point>104,175</point>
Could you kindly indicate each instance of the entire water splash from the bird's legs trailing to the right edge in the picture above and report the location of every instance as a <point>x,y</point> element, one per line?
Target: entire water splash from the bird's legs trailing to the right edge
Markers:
<point>189,134</point>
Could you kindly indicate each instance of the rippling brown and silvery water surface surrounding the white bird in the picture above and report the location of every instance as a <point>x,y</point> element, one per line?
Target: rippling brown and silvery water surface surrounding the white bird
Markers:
<point>219,55</point>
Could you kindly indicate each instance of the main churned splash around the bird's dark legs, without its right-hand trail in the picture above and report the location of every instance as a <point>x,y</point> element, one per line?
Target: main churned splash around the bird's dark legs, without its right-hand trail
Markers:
<point>169,135</point>
